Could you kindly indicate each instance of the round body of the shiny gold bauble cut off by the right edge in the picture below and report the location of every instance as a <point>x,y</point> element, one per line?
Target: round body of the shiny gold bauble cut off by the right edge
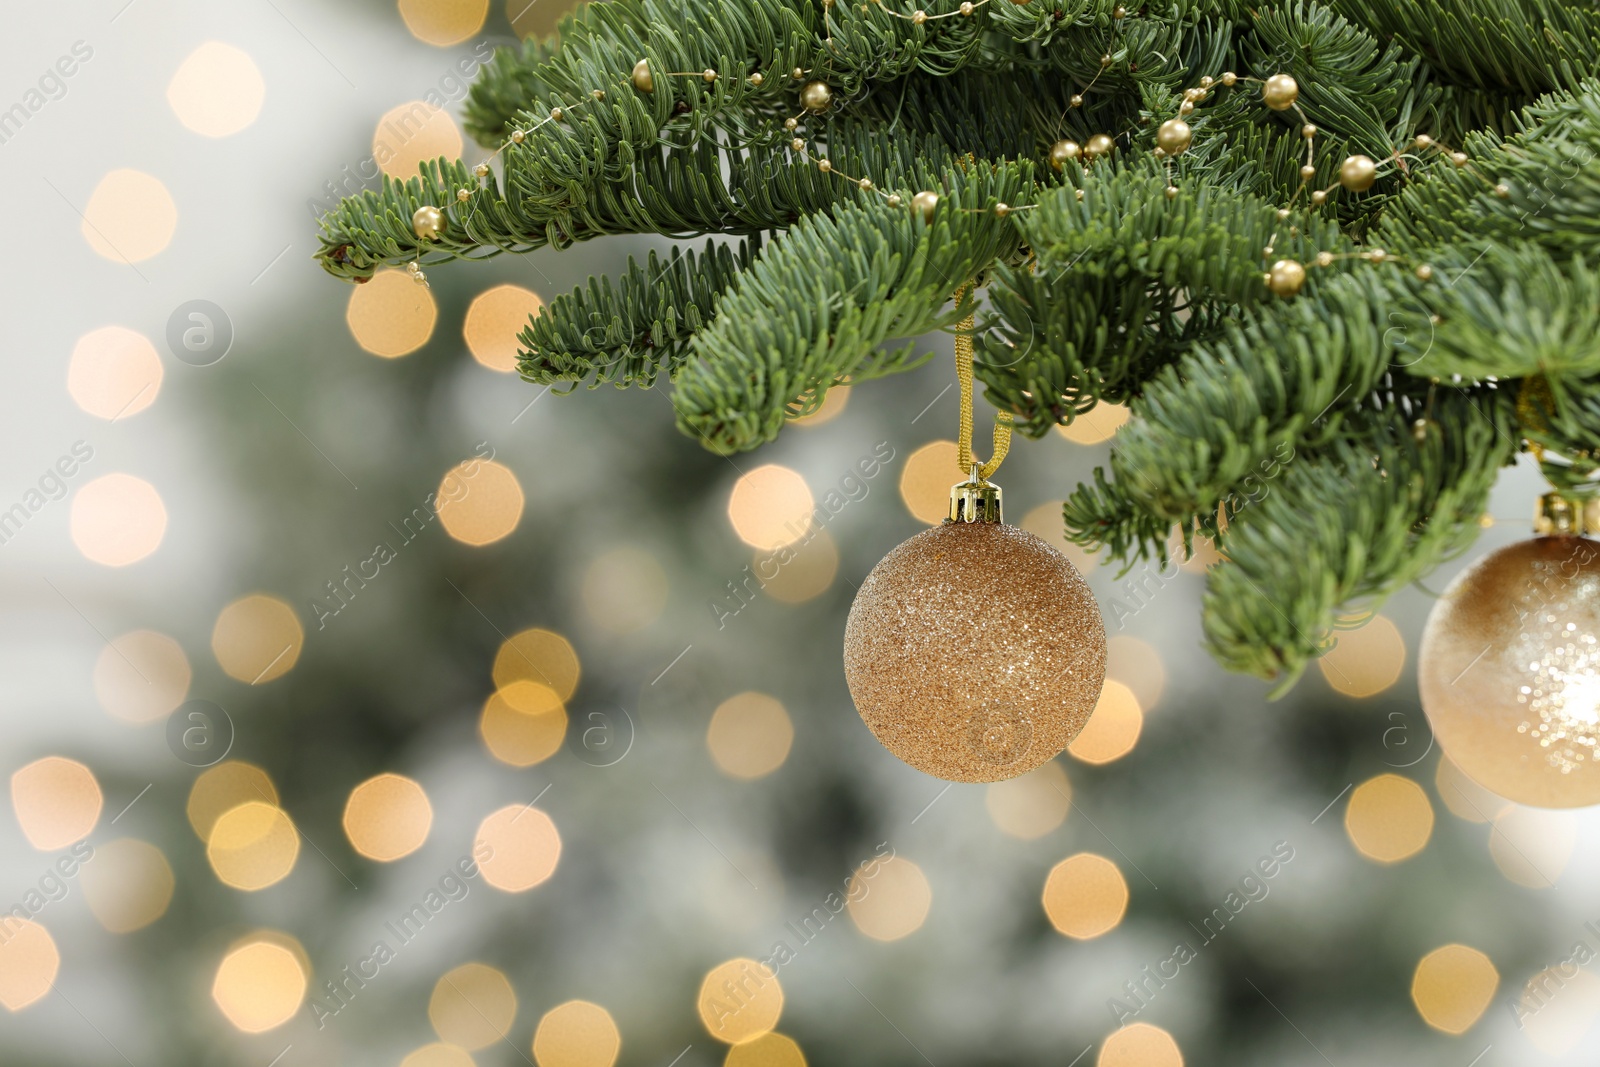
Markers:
<point>1510,673</point>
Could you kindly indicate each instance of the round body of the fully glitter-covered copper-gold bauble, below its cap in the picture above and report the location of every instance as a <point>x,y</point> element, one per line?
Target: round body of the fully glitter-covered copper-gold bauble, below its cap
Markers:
<point>975,652</point>
